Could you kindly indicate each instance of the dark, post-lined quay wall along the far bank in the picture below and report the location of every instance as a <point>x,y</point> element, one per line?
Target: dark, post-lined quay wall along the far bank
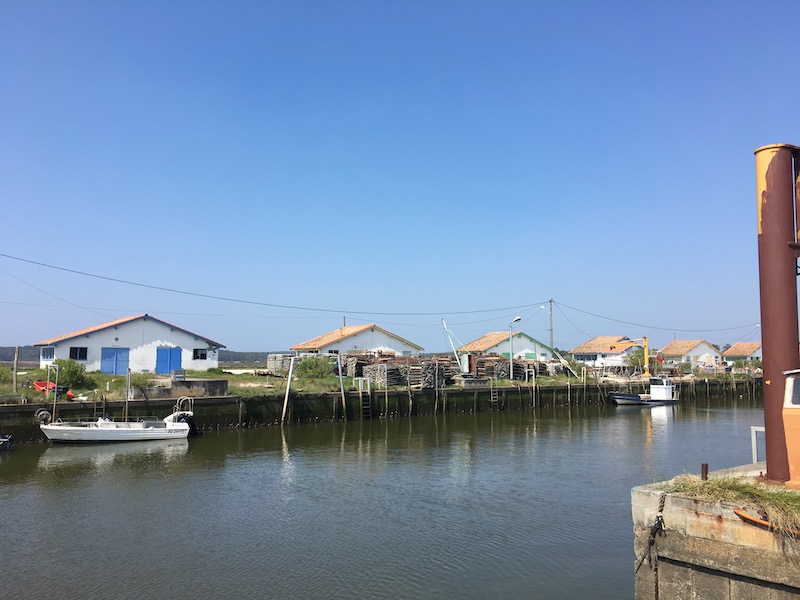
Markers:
<point>232,411</point>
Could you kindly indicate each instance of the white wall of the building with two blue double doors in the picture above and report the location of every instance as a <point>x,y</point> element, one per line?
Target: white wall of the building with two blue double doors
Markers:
<point>142,338</point>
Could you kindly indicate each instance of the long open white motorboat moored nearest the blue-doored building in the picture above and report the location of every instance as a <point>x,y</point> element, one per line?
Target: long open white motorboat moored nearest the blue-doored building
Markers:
<point>177,425</point>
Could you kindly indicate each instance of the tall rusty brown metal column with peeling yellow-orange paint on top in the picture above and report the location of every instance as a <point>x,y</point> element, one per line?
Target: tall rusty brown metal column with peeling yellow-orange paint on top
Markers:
<point>777,266</point>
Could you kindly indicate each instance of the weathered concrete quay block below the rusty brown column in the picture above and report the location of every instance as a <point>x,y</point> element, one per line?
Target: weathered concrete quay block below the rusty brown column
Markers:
<point>708,552</point>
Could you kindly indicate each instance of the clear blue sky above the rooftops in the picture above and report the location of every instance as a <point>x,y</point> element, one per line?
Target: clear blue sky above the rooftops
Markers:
<point>389,162</point>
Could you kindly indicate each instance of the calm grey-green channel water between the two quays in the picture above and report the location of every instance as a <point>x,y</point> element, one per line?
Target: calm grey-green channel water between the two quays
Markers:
<point>495,505</point>
